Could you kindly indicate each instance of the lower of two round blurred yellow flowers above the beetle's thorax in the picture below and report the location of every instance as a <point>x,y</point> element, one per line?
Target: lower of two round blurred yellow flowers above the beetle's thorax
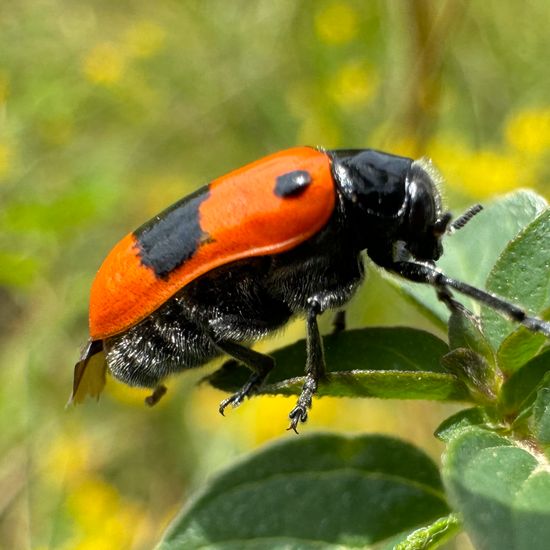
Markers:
<point>353,84</point>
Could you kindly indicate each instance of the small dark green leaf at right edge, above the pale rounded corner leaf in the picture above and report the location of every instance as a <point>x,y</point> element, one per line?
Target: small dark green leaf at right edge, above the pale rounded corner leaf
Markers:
<point>518,392</point>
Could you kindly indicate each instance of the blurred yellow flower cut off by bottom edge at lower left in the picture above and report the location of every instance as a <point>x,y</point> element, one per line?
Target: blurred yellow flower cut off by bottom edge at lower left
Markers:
<point>103,520</point>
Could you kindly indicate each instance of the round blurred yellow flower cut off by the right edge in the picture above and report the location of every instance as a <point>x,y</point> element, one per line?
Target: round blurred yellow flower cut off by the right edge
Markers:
<point>528,131</point>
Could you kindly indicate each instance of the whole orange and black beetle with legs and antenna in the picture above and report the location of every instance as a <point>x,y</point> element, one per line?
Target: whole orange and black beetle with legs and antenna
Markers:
<point>281,237</point>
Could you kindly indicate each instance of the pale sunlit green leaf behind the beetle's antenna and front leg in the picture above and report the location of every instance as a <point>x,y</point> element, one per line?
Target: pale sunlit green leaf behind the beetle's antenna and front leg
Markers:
<point>471,252</point>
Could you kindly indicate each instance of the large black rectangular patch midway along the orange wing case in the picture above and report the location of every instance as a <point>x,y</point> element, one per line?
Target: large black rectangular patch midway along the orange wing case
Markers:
<point>173,236</point>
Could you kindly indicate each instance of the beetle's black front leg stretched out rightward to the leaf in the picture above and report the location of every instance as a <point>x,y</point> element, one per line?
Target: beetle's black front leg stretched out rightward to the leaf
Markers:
<point>426,273</point>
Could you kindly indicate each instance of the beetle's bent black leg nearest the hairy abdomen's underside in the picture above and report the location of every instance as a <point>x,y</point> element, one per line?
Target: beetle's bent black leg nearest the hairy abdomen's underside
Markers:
<point>260,365</point>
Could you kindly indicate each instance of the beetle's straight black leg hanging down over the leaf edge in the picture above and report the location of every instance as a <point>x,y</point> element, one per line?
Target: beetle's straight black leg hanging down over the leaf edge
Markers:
<point>315,366</point>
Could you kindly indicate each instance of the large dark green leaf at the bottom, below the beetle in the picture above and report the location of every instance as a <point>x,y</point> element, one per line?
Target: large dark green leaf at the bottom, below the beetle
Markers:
<point>322,491</point>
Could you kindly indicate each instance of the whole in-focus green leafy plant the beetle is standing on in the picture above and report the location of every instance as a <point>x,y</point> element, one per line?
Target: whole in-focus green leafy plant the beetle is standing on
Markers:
<point>329,491</point>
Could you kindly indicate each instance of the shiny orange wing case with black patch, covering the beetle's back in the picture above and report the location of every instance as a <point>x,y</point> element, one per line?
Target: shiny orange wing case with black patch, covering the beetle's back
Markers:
<point>236,216</point>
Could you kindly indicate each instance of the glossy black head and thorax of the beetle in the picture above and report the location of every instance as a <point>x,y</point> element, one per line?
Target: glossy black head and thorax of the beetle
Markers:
<point>397,198</point>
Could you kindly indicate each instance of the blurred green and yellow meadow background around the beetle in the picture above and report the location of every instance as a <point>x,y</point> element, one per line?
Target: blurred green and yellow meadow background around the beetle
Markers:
<point>109,111</point>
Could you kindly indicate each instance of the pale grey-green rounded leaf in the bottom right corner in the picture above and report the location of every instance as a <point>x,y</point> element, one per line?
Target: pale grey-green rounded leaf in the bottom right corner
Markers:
<point>502,491</point>
